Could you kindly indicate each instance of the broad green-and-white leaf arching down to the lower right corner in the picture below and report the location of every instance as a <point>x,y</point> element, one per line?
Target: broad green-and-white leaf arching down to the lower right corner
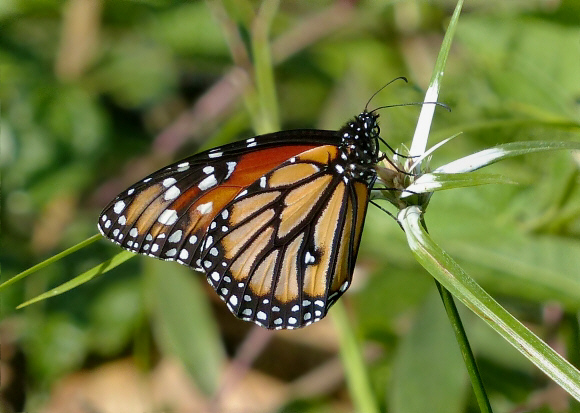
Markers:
<point>448,273</point>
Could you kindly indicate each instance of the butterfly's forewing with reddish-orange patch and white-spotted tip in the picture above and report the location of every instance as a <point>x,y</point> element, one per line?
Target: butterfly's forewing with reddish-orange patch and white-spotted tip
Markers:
<point>178,202</point>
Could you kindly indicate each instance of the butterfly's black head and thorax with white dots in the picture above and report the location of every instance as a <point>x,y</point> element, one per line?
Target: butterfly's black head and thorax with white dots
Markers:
<point>360,146</point>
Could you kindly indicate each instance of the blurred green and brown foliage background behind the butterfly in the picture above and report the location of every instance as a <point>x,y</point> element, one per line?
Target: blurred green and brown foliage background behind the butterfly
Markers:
<point>96,94</point>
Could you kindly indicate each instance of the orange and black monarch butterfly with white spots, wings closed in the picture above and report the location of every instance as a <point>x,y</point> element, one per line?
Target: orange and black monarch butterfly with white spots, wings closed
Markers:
<point>274,221</point>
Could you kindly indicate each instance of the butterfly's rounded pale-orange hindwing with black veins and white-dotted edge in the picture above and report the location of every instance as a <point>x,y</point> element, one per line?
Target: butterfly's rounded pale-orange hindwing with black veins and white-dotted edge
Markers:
<point>283,252</point>
